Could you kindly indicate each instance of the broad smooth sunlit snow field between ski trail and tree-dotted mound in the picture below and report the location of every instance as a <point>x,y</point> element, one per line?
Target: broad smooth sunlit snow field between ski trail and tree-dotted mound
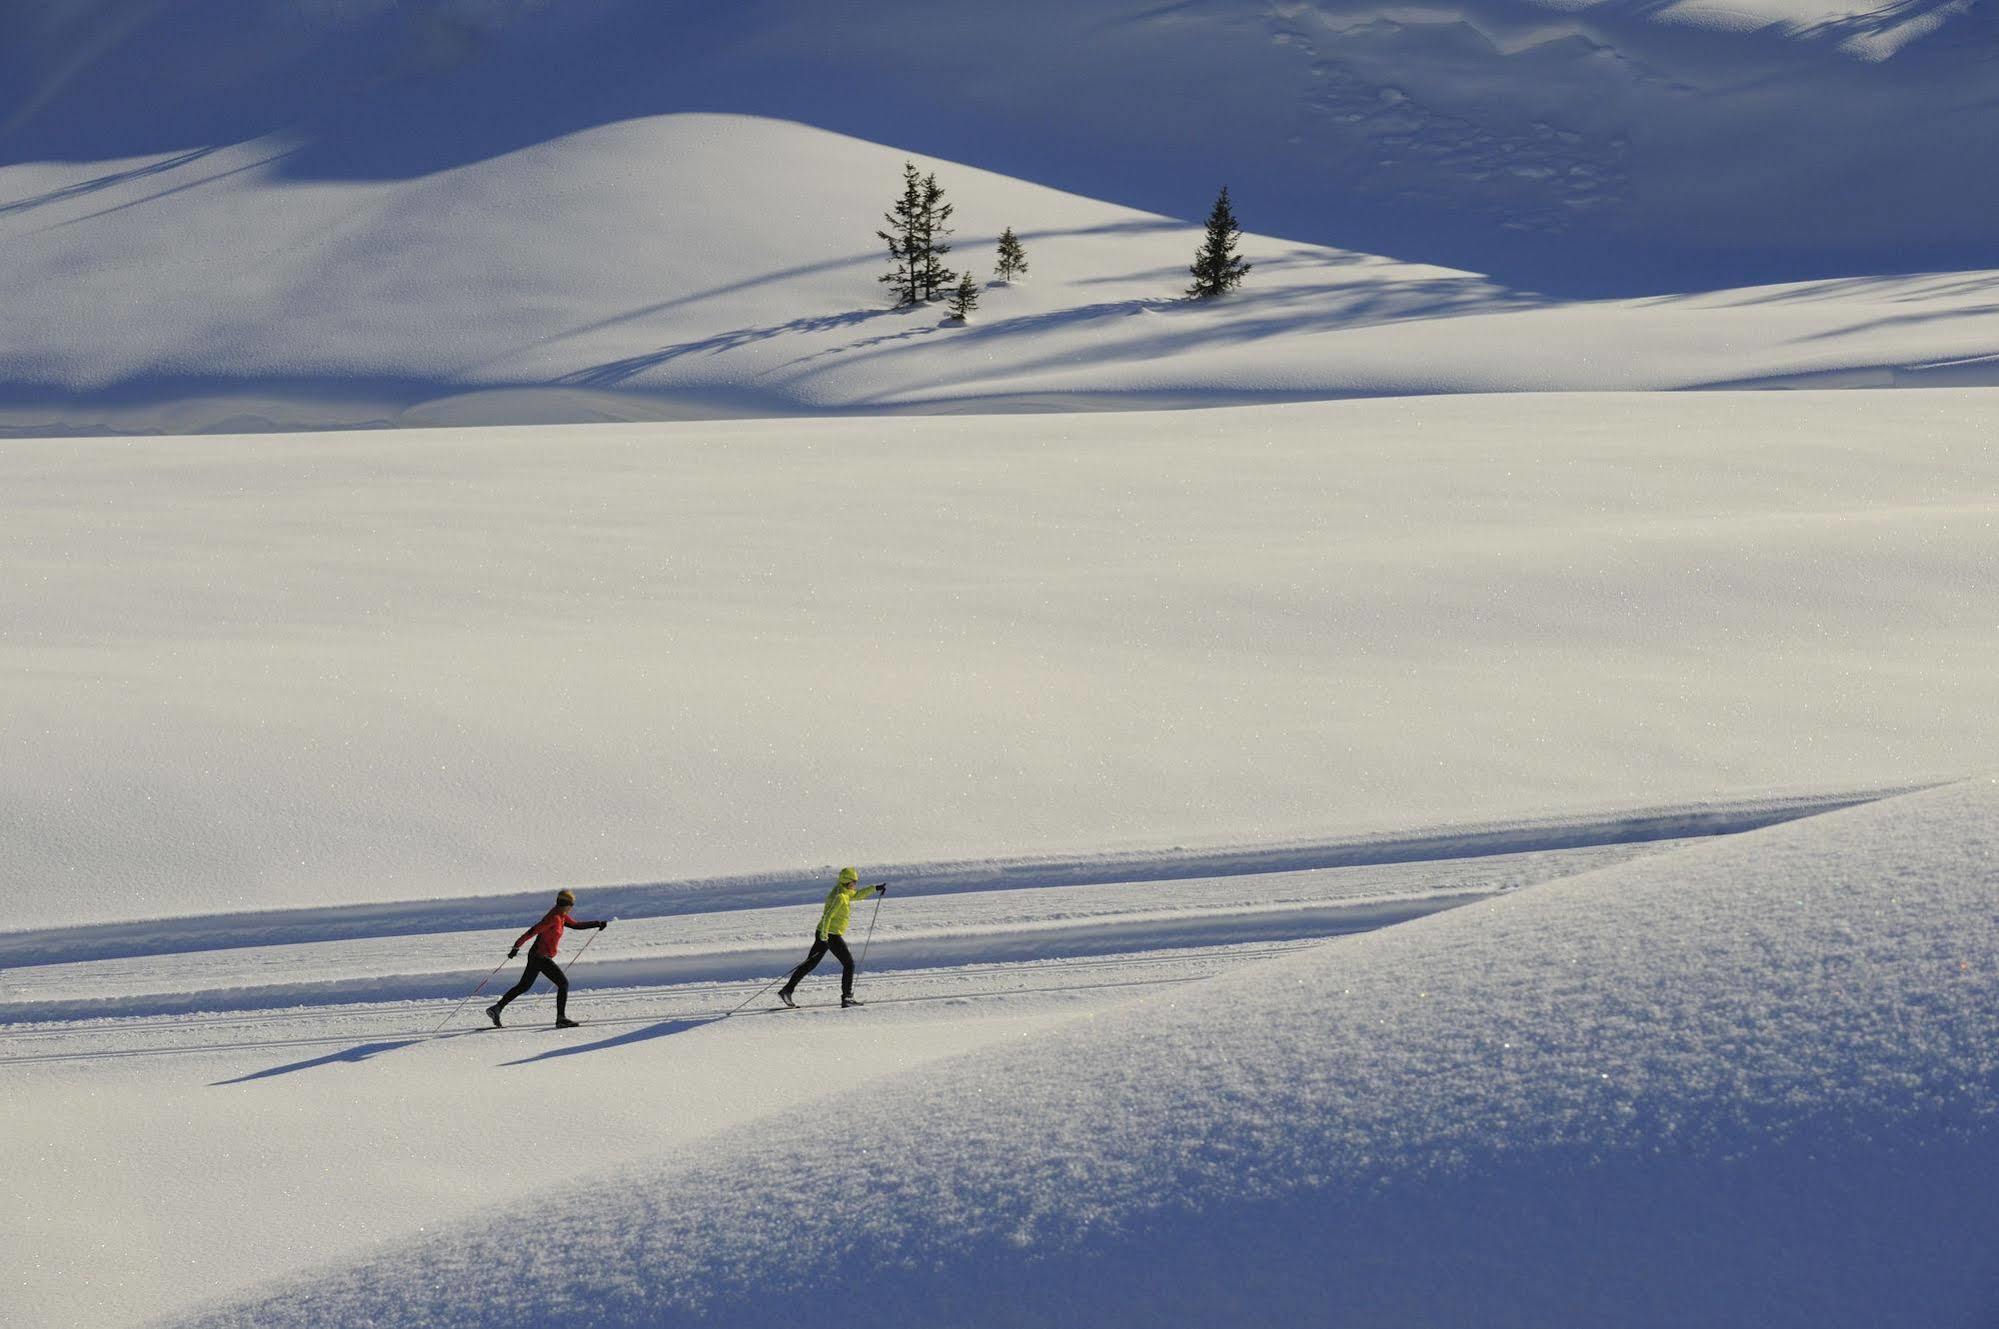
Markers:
<point>363,670</point>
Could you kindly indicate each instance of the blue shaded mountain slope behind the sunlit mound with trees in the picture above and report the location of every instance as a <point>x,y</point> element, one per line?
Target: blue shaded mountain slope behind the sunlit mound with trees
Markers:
<point>1564,143</point>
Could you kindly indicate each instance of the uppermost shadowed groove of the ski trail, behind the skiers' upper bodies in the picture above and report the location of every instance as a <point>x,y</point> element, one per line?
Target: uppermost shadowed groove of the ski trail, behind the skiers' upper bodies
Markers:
<point>773,890</point>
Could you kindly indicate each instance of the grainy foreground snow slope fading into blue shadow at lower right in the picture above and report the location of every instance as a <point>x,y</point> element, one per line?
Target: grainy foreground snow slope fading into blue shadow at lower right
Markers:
<point>1744,1084</point>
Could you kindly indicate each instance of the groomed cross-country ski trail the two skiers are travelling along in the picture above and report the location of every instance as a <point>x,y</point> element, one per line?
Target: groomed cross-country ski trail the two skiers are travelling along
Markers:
<point>695,950</point>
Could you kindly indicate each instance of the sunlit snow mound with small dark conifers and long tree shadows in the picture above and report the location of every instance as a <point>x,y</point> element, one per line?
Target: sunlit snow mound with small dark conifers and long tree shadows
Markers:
<point>599,279</point>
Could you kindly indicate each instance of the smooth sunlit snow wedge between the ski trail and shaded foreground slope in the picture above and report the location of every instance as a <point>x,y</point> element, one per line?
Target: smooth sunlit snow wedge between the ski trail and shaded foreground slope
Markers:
<point>155,1182</point>
